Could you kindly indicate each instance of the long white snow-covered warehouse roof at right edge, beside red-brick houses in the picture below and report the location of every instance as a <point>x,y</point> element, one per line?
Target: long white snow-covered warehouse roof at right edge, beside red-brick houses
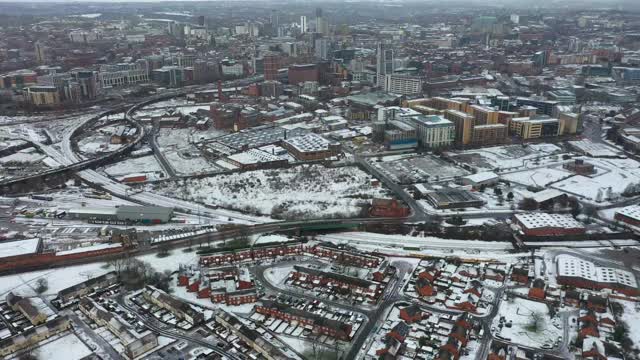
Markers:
<point>571,266</point>
